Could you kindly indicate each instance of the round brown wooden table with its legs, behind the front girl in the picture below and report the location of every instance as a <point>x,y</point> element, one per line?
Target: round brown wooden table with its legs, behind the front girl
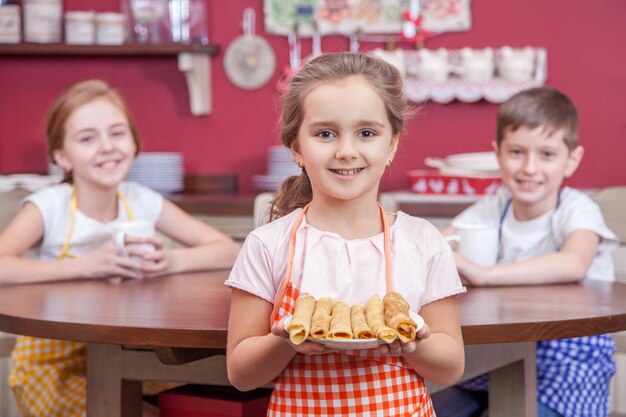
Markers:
<point>183,319</point>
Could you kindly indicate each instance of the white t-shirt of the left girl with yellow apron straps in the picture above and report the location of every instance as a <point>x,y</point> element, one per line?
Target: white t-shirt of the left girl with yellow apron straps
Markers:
<point>89,234</point>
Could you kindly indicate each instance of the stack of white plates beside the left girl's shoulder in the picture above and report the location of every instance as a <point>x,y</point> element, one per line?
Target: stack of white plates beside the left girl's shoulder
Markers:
<point>161,171</point>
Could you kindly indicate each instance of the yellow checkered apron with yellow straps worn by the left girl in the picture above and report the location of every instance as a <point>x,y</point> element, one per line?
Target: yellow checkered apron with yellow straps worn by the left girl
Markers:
<point>48,376</point>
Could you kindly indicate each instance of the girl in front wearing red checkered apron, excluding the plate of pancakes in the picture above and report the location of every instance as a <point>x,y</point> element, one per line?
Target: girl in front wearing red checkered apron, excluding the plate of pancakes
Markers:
<point>342,118</point>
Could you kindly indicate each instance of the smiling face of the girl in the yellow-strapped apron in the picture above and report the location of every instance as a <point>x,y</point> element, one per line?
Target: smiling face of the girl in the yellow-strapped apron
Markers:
<point>98,146</point>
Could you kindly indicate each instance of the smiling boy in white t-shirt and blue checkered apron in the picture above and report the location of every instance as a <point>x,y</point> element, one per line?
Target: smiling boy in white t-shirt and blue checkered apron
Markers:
<point>548,234</point>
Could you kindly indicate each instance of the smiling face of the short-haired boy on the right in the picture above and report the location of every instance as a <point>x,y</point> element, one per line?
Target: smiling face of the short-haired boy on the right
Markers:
<point>533,166</point>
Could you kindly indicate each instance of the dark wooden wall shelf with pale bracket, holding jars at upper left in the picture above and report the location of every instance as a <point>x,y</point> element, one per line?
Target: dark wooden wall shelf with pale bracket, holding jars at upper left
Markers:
<point>194,61</point>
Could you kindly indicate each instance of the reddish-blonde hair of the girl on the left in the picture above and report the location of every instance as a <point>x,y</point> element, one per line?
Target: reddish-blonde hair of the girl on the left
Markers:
<point>73,97</point>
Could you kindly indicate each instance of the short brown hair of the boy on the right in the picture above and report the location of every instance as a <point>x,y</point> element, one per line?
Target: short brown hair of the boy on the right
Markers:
<point>541,106</point>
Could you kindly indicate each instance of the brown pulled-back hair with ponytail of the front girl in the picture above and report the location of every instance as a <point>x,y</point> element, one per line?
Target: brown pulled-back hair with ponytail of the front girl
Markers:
<point>384,78</point>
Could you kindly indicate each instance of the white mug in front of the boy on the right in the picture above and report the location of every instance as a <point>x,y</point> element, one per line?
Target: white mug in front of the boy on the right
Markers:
<point>477,242</point>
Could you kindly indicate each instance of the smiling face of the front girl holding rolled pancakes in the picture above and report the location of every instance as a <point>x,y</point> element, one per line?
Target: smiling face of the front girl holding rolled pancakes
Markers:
<point>345,139</point>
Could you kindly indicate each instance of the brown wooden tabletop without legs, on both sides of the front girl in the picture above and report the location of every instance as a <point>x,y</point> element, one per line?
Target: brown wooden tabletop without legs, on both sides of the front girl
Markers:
<point>191,310</point>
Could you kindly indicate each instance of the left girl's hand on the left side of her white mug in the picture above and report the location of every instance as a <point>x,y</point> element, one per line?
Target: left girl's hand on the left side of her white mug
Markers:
<point>106,262</point>
